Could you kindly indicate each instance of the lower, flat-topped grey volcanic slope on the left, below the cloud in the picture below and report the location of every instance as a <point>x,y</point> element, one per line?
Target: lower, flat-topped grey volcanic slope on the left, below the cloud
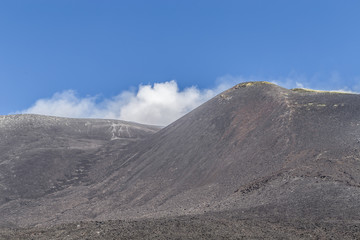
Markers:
<point>40,154</point>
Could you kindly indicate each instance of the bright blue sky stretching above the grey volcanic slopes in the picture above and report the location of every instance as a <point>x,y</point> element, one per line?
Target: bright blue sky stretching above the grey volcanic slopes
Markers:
<point>102,51</point>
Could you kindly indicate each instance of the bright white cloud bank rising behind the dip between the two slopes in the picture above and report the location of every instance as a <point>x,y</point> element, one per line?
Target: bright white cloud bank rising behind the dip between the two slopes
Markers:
<point>158,104</point>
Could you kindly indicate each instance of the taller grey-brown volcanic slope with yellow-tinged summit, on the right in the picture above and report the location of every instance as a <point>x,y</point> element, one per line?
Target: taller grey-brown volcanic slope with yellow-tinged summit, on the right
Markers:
<point>257,150</point>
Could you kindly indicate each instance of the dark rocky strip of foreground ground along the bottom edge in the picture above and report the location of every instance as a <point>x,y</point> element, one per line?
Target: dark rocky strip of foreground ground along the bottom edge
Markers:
<point>208,226</point>
